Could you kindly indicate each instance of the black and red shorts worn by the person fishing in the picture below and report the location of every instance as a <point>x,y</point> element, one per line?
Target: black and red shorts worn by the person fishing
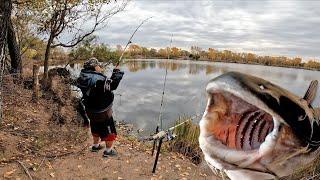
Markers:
<point>102,125</point>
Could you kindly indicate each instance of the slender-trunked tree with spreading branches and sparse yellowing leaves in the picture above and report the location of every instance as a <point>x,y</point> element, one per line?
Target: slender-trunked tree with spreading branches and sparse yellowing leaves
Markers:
<point>62,21</point>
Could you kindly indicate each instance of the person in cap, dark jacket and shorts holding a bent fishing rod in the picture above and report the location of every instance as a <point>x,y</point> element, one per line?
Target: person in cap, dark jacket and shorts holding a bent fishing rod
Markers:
<point>97,100</point>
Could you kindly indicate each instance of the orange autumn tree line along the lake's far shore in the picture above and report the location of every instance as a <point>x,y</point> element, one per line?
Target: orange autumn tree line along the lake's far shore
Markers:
<point>211,54</point>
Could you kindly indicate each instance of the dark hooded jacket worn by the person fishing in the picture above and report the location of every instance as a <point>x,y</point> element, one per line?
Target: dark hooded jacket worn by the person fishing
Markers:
<point>97,89</point>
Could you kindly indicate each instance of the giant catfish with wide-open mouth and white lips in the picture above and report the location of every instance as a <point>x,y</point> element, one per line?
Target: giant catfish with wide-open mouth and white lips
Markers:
<point>253,129</point>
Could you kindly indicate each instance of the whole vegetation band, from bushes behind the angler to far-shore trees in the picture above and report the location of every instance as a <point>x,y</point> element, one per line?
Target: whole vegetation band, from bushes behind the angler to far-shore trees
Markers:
<point>110,55</point>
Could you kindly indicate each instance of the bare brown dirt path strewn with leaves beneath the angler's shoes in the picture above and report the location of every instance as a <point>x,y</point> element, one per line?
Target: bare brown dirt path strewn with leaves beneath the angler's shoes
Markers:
<point>133,162</point>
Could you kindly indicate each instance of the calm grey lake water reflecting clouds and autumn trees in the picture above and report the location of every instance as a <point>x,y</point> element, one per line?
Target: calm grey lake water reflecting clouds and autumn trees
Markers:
<point>138,96</point>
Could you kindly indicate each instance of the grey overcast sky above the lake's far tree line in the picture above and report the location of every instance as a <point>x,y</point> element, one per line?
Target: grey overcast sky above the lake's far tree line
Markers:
<point>289,28</point>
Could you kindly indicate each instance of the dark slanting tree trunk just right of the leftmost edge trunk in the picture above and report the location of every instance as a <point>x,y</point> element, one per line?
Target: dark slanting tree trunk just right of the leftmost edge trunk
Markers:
<point>14,50</point>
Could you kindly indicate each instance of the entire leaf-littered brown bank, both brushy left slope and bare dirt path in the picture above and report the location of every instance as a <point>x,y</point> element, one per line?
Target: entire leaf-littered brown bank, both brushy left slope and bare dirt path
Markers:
<point>46,139</point>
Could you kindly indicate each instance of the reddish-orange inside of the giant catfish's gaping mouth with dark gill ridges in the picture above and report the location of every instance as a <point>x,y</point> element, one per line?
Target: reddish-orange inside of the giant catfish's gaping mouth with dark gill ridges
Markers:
<point>236,123</point>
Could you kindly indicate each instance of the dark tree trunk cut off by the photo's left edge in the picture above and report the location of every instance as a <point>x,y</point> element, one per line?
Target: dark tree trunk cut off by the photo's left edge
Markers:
<point>5,13</point>
